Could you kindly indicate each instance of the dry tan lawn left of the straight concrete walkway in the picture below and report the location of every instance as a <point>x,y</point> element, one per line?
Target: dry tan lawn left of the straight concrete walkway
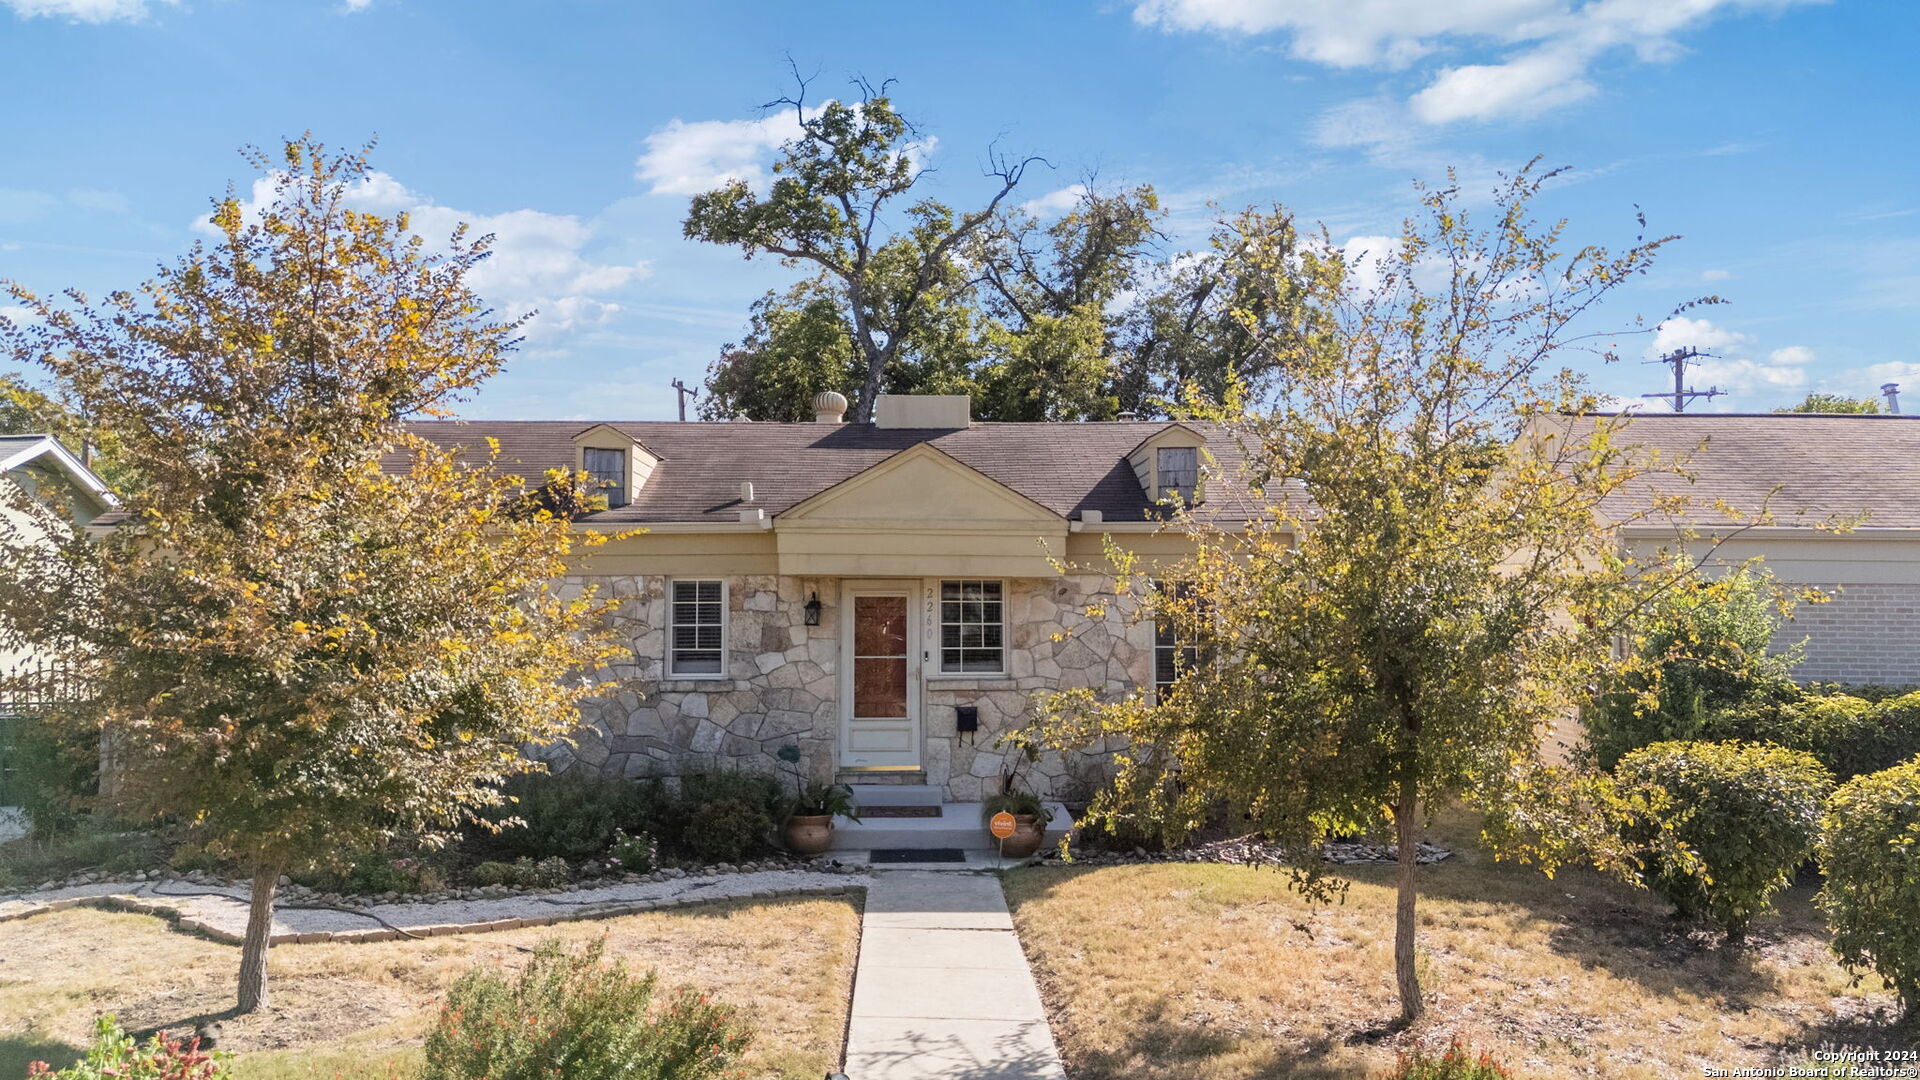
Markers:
<point>360,1012</point>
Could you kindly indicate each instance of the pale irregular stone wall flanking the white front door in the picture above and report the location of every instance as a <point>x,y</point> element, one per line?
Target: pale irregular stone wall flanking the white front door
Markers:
<point>782,685</point>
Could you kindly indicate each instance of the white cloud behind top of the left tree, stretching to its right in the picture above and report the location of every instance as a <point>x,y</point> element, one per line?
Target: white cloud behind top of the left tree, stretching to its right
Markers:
<point>537,262</point>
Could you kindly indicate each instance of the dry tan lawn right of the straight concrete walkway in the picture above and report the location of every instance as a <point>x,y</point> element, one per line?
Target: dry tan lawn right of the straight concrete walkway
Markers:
<point>1214,973</point>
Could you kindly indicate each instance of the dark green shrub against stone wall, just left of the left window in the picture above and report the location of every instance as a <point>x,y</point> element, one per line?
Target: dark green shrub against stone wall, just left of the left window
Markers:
<point>571,816</point>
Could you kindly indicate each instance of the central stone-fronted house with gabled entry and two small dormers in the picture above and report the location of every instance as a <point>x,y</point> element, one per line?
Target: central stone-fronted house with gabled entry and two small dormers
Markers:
<point>886,597</point>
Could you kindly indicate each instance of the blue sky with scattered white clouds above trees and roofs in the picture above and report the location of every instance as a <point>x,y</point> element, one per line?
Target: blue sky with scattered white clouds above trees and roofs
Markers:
<point>1779,137</point>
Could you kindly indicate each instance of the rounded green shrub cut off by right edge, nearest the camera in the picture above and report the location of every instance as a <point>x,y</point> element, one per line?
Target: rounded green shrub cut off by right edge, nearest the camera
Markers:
<point>1871,856</point>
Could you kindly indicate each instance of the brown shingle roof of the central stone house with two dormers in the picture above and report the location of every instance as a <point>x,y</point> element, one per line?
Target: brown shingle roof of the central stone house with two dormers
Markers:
<point>1068,468</point>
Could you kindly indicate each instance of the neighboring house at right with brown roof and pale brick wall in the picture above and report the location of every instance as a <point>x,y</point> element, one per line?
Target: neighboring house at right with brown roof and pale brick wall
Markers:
<point>1810,472</point>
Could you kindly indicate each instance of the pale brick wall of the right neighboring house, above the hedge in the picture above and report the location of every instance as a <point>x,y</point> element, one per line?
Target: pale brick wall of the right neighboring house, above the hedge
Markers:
<point>1869,633</point>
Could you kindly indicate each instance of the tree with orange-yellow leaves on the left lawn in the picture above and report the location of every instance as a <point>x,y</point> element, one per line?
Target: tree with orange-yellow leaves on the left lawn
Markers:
<point>312,633</point>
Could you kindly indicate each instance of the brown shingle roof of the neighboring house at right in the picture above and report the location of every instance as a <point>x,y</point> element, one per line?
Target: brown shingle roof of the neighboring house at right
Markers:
<point>1806,468</point>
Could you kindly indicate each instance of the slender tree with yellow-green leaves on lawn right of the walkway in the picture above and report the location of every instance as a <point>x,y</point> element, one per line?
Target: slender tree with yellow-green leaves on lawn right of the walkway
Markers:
<point>1429,577</point>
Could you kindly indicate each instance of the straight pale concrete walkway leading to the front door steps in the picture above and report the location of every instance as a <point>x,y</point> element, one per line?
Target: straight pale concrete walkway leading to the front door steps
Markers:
<point>944,991</point>
